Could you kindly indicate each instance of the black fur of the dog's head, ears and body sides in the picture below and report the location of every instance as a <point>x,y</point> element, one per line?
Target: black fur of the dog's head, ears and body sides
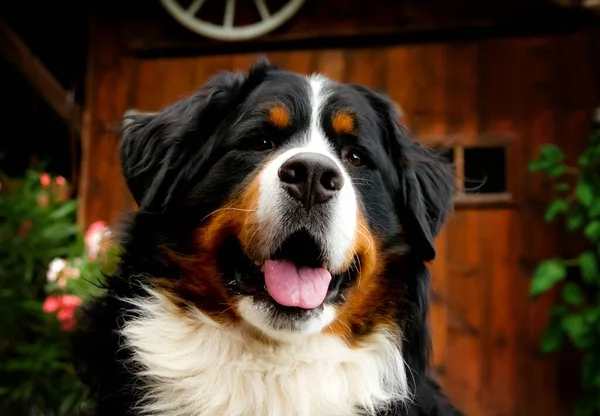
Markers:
<point>192,157</point>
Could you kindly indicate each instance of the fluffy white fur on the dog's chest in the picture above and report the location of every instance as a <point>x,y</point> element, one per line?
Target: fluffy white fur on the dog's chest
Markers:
<point>196,368</point>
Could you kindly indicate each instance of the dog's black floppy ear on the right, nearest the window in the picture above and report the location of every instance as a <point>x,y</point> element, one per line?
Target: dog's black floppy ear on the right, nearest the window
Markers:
<point>425,183</point>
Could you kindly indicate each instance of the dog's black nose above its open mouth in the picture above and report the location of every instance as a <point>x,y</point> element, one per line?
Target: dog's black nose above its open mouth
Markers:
<point>311,178</point>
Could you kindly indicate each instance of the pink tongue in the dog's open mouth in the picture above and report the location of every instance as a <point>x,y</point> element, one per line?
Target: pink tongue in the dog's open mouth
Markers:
<point>303,287</point>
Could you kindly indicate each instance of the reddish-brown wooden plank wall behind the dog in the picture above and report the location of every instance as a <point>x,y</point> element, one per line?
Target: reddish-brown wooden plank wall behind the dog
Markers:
<point>534,90</point>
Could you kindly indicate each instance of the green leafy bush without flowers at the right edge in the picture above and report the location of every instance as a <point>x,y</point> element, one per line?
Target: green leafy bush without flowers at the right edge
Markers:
<point>576,317</point>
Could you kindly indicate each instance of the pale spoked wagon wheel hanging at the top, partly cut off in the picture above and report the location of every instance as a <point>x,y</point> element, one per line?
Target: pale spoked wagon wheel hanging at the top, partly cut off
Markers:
<point>228,31</point>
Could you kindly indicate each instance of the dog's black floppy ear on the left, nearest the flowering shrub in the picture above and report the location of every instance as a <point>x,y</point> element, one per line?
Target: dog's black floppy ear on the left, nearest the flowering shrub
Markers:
<point>155,147</point>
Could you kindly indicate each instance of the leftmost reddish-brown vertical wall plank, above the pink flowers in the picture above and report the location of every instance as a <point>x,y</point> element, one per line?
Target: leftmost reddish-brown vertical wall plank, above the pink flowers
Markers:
<point>103,191</point>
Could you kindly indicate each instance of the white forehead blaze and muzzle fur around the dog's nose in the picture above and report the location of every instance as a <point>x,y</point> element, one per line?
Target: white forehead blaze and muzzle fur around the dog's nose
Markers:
<point>339,229</point>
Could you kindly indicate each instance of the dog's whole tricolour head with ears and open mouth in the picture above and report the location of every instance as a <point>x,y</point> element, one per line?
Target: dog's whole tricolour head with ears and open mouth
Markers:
<point>282,201</point>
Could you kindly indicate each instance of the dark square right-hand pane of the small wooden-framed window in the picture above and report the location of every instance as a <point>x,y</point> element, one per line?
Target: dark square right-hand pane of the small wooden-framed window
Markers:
<point>485,170</point>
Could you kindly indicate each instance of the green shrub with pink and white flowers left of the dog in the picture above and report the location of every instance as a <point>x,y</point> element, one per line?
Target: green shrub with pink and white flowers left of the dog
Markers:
<point>47,268</point>
